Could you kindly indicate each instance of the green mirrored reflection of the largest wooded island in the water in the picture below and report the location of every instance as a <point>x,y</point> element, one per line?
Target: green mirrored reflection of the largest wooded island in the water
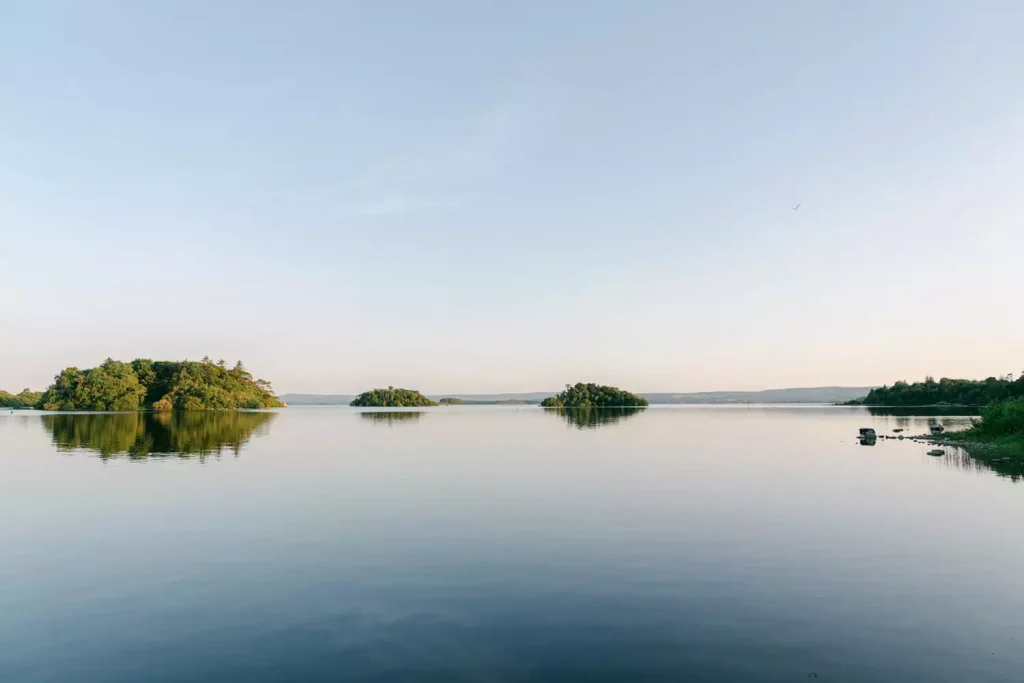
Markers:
<point>143,435</point>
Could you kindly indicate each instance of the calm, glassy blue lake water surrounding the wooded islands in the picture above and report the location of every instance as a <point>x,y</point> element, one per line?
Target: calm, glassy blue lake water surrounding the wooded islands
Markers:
<point>697,544</point>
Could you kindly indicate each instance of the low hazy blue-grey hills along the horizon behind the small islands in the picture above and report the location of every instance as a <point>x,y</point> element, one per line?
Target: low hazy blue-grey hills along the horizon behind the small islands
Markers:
<point>795,396</point>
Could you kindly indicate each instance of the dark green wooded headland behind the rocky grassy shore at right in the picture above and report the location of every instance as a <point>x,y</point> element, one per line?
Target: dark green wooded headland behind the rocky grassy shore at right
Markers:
<point>946,393</point>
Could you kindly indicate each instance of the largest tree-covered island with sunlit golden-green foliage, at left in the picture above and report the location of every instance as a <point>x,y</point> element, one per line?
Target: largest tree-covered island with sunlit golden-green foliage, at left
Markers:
<point>158,386</point>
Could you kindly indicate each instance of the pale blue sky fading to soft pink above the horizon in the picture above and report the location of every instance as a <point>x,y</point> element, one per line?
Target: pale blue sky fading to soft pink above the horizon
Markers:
<point>485,197</point>
